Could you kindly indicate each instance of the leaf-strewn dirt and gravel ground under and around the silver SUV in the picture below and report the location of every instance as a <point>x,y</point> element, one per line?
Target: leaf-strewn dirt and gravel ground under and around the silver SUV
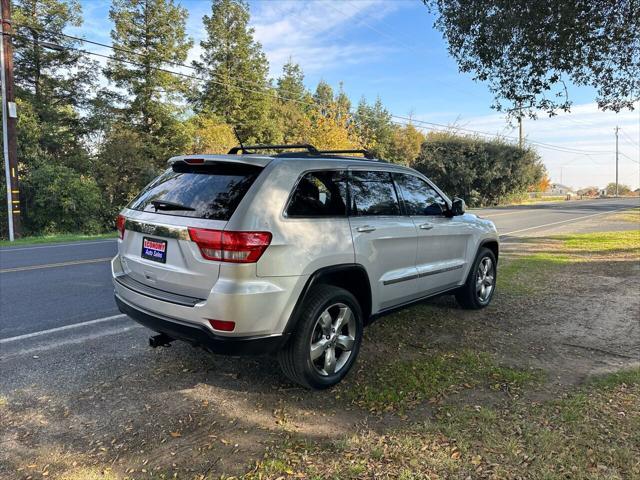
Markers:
<point>180,413</point>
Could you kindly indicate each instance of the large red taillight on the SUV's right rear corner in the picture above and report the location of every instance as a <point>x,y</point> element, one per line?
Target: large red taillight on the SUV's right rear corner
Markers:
<point>234,247</point>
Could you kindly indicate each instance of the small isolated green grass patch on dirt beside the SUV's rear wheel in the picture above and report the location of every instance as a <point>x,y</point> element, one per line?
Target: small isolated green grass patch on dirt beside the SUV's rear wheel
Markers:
<point>403,384</point>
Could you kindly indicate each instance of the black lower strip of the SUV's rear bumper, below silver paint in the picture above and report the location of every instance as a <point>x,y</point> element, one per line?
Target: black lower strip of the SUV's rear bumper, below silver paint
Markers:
<point>199,335</point>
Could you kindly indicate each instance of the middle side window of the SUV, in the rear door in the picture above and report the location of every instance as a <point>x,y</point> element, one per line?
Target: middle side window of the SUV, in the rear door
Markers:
<point>373,193</point>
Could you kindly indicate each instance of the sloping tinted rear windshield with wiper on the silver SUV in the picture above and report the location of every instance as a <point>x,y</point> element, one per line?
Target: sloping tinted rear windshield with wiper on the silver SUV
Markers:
<point>199,191</point>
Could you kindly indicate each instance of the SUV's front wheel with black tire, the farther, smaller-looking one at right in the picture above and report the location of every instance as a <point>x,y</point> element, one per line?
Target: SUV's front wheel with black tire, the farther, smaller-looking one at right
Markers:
<point>470,295</point>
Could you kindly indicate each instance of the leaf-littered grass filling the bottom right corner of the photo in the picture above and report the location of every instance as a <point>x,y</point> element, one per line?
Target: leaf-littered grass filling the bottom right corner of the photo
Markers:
<point>593,433</point>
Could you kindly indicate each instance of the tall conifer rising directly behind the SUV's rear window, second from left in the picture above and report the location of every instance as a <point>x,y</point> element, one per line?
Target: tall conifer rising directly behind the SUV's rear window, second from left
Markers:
<point>147,36</point>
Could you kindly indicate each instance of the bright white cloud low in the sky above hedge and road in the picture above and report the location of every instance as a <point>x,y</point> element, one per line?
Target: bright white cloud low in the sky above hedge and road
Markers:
<point>586,131</point>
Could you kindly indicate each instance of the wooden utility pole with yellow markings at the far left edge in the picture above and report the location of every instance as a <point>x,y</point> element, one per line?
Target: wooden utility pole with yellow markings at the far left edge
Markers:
<point>9,116</point>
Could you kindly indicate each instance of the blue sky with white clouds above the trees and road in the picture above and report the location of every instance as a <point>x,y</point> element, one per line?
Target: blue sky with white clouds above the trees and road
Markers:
<point>390,49</point>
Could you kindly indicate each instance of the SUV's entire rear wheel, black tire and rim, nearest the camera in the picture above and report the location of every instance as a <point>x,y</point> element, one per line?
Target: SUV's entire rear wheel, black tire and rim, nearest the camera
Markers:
<point>313,328</point>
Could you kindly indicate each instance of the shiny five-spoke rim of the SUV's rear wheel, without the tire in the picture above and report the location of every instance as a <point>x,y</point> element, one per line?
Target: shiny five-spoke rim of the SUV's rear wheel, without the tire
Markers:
<point>333,338</point>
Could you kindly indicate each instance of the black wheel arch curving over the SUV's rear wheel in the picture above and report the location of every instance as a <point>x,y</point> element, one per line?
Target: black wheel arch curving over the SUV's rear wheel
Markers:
<point>350,276</point>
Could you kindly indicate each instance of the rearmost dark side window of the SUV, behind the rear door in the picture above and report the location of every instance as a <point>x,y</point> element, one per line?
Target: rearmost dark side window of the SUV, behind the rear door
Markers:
<point>319,194</point>
